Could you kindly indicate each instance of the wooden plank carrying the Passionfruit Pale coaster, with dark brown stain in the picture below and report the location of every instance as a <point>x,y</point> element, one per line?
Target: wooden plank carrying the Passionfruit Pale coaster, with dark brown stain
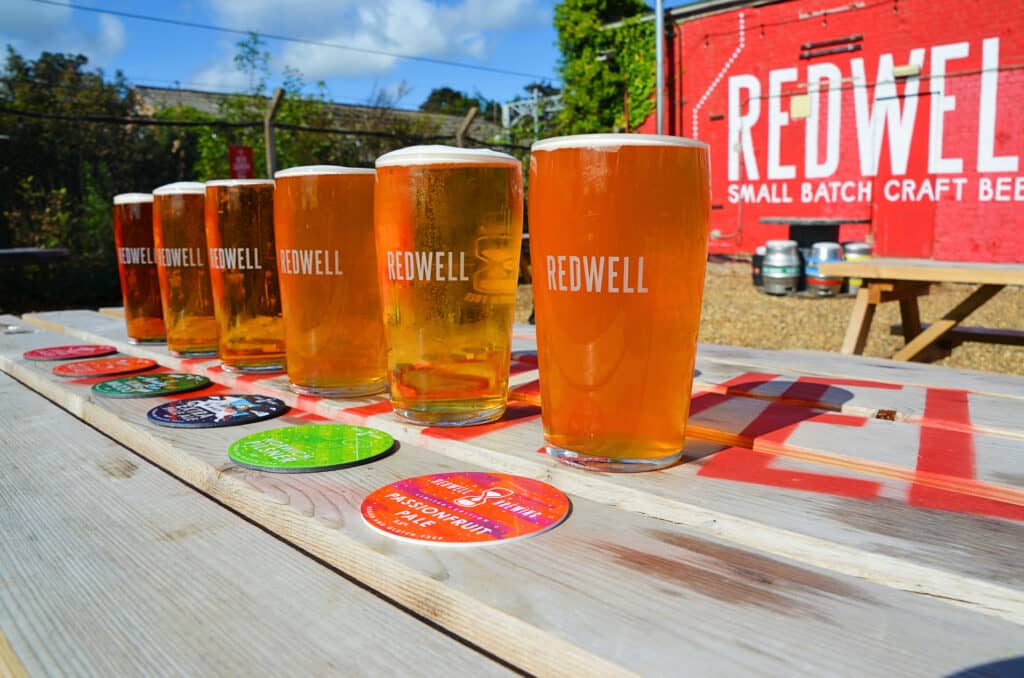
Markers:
<point>538,598</point>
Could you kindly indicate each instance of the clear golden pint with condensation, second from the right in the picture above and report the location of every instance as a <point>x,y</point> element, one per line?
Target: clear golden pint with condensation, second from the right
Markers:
<point>449,225</point>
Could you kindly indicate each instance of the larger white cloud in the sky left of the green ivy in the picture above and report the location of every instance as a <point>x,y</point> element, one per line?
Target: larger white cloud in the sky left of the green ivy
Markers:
<point>457,31</point>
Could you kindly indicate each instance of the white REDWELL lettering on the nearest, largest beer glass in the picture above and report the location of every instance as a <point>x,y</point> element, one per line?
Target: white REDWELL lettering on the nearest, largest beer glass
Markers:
<point>612,275</point>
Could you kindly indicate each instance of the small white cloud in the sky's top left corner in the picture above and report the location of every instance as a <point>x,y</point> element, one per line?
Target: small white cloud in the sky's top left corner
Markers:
<point>32,28</point>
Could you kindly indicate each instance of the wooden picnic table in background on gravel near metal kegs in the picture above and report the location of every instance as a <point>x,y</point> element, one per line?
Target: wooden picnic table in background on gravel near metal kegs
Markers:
<point>904,281</point>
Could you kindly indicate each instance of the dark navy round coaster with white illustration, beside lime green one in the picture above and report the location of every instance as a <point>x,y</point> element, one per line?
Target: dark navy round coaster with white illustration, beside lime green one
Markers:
<point>217,411</point>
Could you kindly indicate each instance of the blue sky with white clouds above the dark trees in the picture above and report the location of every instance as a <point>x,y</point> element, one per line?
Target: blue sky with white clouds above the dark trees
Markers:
<point>514,35</point>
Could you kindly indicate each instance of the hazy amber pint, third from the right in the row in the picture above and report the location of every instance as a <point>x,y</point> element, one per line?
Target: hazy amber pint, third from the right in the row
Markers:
<point>327,262</point>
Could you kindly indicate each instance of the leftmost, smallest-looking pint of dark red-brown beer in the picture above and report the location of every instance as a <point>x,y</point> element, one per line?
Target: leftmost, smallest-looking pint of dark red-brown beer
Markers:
<point>140,287</point>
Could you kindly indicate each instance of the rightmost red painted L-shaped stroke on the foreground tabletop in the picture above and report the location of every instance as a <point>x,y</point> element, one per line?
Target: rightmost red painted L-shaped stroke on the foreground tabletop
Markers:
<point>952,453</point>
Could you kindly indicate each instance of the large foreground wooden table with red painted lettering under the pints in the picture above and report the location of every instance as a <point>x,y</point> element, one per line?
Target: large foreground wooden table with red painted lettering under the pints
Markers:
<point>834,516</point>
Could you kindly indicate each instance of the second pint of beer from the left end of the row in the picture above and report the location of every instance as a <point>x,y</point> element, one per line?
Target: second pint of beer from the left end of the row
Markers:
<point>180,236</point>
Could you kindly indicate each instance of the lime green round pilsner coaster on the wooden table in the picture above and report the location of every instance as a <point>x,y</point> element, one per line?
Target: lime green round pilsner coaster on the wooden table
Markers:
<point>311,448</point>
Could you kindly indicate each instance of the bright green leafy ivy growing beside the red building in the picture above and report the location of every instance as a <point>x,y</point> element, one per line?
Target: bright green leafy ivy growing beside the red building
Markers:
<point>599,64</point>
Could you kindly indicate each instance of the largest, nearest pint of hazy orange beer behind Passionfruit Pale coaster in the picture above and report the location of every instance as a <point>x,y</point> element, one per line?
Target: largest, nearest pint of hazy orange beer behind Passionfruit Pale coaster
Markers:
<point>619,236</point>
